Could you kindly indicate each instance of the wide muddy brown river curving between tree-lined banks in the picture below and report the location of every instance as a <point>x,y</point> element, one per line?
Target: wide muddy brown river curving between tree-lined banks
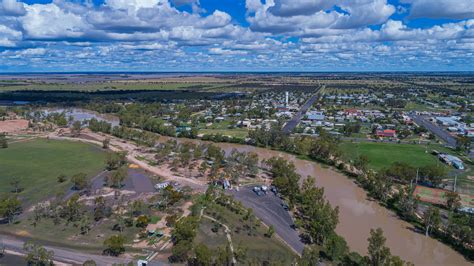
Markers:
<point>358,214</point>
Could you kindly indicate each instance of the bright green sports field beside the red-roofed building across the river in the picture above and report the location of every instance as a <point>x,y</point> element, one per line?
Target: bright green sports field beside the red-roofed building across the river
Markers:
<point>384,154</point>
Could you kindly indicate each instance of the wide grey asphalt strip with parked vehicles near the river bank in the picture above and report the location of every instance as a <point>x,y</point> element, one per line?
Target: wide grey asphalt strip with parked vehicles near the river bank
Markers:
<point>268,209</point>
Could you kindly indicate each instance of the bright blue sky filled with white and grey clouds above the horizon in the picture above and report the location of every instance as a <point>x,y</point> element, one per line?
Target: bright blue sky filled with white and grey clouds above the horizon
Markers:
<point>236,35</point>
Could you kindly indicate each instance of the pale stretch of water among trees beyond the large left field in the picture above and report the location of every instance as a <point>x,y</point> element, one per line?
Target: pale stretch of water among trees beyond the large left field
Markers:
<point>78,114</point>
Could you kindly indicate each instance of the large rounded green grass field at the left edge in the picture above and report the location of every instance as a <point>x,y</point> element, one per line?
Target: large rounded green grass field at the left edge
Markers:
<point>38,163</point>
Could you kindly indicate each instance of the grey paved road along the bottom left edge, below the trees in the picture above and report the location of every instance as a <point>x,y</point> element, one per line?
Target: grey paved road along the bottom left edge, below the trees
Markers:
<point>64,255</point>
